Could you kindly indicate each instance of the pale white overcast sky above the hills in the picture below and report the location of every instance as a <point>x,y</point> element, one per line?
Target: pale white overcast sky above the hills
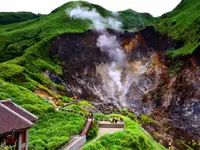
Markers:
<point>154,7</point>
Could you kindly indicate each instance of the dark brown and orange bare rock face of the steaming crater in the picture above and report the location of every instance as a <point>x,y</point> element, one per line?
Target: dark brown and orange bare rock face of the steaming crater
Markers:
<point>140,81</point>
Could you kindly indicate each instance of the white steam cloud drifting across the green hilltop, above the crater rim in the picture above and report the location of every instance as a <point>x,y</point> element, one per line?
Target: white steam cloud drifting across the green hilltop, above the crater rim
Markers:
<point>99,22</point>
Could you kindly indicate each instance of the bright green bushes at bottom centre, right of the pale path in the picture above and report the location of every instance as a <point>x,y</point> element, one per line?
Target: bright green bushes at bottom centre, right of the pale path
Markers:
<point>133,137</point>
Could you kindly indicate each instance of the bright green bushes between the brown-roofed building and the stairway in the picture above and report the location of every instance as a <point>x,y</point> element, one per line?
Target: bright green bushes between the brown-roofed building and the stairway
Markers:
<point>54,129</point>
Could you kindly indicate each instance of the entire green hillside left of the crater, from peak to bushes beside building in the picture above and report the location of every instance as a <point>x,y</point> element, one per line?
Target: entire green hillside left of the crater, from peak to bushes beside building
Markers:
<point>25,56</point>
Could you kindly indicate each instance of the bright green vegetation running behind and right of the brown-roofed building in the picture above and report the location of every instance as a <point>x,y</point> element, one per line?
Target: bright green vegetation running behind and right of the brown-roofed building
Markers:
<point>54,128</point>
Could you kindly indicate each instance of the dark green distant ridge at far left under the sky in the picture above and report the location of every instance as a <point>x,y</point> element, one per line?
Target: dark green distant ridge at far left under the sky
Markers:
<point>11,17</point>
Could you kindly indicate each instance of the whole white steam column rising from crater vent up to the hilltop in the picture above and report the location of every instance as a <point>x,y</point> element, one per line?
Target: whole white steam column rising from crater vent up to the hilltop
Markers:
<point>114,86</point>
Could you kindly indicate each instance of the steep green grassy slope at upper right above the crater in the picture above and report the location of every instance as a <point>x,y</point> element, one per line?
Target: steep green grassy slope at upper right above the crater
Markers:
<point>182,24</point>
